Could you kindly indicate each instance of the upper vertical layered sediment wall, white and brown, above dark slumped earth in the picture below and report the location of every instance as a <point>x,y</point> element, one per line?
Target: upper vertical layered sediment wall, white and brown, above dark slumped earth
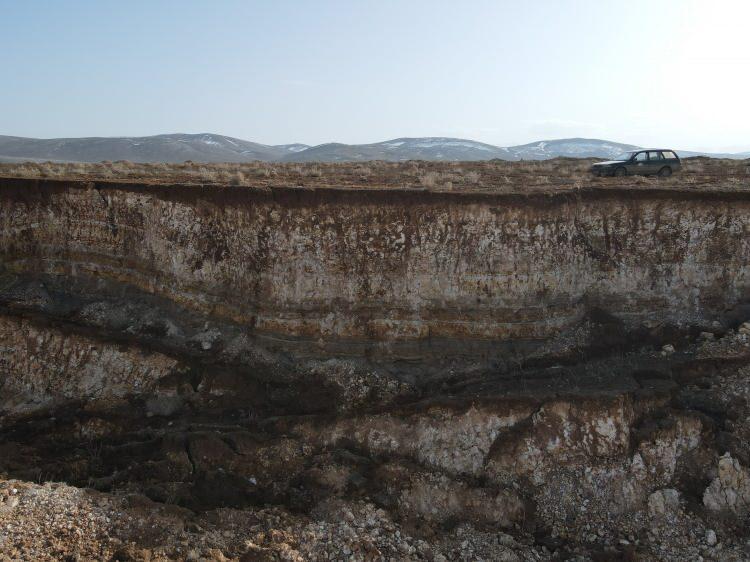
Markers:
<point>391,265</point>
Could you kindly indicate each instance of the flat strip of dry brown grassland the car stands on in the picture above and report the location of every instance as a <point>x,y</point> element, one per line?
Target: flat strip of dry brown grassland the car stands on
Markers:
<point>495,175</point>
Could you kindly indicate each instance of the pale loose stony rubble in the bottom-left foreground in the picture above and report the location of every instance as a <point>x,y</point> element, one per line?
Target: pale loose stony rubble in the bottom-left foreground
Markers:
<point>59,522</point>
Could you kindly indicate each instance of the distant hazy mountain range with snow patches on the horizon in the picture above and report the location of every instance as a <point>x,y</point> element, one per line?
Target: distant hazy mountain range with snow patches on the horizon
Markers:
<point>209,147</point>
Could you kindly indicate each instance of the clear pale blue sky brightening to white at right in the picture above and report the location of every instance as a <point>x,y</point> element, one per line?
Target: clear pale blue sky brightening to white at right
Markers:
<point>659,72</point>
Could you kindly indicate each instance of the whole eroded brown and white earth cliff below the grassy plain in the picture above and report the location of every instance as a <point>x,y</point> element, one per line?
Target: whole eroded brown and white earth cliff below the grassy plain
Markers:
<point>483,373</point>
